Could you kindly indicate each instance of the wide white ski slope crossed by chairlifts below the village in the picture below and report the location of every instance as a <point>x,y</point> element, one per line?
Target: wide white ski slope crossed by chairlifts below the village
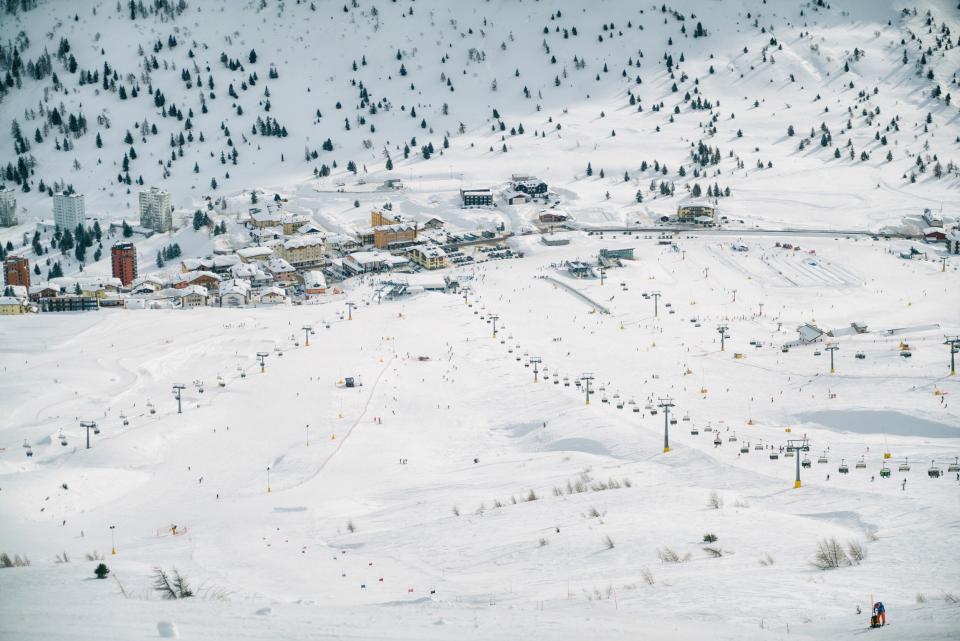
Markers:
<point>433,460</point>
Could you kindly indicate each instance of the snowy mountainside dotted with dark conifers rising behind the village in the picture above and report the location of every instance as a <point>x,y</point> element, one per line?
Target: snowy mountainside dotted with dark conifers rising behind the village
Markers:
<point>440,71</point>
